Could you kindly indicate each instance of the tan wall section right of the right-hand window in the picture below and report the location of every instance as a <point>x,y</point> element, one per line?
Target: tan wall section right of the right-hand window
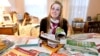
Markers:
<point>94,8</point>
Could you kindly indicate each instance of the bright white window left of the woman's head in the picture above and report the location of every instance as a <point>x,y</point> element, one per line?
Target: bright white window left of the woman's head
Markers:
<point>36,8</point>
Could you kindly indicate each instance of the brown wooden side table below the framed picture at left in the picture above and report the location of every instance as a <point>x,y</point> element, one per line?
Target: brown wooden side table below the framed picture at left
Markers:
<point>9,30</point>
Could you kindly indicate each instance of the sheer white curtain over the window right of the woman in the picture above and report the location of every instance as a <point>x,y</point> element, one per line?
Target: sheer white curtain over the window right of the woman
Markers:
<point>78,9</point>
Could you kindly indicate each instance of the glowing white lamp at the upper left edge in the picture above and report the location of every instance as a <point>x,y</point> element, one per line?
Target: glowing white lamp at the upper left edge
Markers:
<point>3,4</point>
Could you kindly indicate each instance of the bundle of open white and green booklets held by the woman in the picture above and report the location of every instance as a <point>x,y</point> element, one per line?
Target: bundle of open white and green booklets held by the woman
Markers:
<point>54,39</point>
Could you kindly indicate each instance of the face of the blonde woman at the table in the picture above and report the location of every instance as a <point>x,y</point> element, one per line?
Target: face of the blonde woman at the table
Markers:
<point>55,10</point>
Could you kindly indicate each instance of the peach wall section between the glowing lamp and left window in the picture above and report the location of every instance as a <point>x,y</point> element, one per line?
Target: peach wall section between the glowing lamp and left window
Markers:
<point>16,5</point>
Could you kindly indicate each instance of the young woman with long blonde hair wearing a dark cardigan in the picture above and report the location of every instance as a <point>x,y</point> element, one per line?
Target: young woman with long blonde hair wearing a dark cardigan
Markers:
<point>54,20</point>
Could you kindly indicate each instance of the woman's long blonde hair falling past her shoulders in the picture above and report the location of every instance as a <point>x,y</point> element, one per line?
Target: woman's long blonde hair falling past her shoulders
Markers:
<point>60,15</point>
